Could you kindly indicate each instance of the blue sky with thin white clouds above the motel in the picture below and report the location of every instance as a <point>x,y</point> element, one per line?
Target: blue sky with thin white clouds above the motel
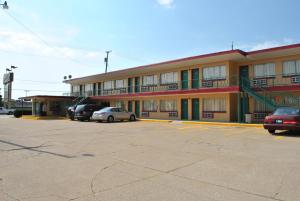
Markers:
<point>50,39</point>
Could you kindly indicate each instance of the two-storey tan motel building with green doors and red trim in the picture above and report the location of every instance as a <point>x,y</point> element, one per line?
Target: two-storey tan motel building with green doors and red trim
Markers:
<point>222,86</point>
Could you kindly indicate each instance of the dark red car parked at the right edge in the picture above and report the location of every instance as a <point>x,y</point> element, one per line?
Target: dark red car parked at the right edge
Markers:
<point>285,118</point>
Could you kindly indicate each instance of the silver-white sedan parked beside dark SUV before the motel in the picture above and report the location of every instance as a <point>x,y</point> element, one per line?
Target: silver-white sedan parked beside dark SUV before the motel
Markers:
<point>111,114</point>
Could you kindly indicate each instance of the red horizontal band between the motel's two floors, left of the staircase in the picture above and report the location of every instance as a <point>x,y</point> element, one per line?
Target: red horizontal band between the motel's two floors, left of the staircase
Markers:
<point>177,92</point>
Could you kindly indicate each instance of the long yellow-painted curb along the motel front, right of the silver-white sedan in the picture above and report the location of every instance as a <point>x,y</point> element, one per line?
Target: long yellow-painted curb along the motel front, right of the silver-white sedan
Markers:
<point>207,123</point>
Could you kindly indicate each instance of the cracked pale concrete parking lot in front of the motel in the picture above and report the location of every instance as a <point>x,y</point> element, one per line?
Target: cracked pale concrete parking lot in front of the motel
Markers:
<point>61,160</point>
